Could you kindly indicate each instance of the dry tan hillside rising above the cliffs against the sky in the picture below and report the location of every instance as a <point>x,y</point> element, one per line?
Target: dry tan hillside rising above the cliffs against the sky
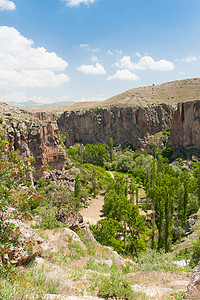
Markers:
<point>170,93</point>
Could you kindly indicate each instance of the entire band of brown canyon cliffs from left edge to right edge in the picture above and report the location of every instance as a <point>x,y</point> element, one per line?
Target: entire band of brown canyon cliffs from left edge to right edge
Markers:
<point>37,135</point>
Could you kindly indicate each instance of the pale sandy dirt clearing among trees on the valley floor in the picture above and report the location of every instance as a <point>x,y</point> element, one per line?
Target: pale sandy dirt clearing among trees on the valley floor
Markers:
<point>94,213</point>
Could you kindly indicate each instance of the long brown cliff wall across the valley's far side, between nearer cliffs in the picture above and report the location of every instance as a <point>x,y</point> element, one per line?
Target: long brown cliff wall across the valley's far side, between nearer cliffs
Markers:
<point>125,125</point>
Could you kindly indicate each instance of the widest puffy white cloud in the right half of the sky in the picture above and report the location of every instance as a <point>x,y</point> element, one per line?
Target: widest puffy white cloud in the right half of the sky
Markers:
<point>145,62</point>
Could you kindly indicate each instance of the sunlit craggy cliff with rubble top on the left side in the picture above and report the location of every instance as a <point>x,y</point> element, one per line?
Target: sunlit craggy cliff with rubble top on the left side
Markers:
<point>34,138</point>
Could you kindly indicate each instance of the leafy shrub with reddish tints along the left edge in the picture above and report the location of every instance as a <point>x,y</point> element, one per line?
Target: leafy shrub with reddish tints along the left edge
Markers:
<point>13,171</point>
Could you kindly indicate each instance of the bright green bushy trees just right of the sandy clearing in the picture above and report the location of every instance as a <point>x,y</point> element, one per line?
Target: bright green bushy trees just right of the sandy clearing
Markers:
<point>124,229</point>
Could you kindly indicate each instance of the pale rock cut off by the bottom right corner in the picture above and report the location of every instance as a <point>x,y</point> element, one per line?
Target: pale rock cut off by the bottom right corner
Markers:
<point>193,289</point>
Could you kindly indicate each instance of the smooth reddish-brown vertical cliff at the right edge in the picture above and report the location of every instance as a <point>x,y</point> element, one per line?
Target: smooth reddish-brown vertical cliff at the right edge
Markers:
<point>185,132</point>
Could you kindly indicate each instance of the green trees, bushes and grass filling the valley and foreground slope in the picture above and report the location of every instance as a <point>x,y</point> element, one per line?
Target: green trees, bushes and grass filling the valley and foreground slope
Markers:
<point>143,230</point>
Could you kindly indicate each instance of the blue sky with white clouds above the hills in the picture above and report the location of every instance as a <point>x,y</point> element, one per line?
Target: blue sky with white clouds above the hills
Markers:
<point>90,50</point>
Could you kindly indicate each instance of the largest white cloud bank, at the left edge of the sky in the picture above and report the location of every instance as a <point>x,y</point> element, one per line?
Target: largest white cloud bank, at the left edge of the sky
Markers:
<point>23,65</point>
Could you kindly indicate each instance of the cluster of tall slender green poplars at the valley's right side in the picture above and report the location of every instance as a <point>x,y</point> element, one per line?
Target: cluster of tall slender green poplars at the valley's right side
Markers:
<point>171,195</point>
